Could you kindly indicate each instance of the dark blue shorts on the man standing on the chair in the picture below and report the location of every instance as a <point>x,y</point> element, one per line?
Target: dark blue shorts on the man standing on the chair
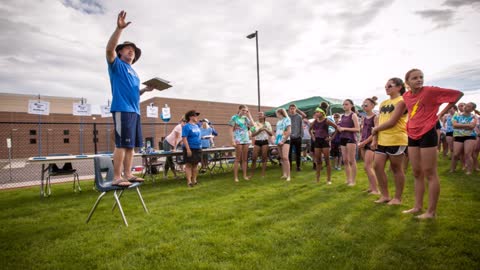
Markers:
<point>128,130</point>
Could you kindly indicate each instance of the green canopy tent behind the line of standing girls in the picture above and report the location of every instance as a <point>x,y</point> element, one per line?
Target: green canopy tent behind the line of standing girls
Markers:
<point>309,105</point>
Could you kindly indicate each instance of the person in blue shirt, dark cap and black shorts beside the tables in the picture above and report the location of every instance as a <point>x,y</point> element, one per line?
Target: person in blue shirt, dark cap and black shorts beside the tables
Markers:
<point>192,147</point>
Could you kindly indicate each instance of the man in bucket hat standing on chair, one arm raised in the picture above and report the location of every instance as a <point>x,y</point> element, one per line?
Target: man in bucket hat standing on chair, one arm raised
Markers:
<point>125,106</point>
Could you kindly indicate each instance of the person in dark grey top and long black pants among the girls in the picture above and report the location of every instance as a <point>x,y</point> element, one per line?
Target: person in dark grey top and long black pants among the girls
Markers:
<point>296,135</point>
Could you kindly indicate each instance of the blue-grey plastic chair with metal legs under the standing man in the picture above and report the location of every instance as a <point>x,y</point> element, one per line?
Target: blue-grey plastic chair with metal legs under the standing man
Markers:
<point>103,164</point>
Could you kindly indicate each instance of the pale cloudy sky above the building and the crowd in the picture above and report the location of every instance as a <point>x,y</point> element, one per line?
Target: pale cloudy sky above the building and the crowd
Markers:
<point>338,49</point>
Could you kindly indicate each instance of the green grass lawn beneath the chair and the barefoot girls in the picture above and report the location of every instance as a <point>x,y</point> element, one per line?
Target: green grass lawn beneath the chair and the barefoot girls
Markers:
<point>260,224</point>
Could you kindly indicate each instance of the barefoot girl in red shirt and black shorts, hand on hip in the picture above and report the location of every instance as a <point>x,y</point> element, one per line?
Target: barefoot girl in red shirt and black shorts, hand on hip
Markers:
<point>423,103</point>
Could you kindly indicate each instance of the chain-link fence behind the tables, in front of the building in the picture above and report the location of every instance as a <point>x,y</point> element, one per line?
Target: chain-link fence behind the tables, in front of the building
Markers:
<point>32,139</point>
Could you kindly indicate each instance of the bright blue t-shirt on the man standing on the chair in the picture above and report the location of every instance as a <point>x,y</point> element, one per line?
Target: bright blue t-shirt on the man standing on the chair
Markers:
<point>125,87</point>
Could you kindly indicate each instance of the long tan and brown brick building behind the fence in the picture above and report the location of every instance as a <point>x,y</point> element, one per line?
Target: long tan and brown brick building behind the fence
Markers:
<point>62,132</point>
